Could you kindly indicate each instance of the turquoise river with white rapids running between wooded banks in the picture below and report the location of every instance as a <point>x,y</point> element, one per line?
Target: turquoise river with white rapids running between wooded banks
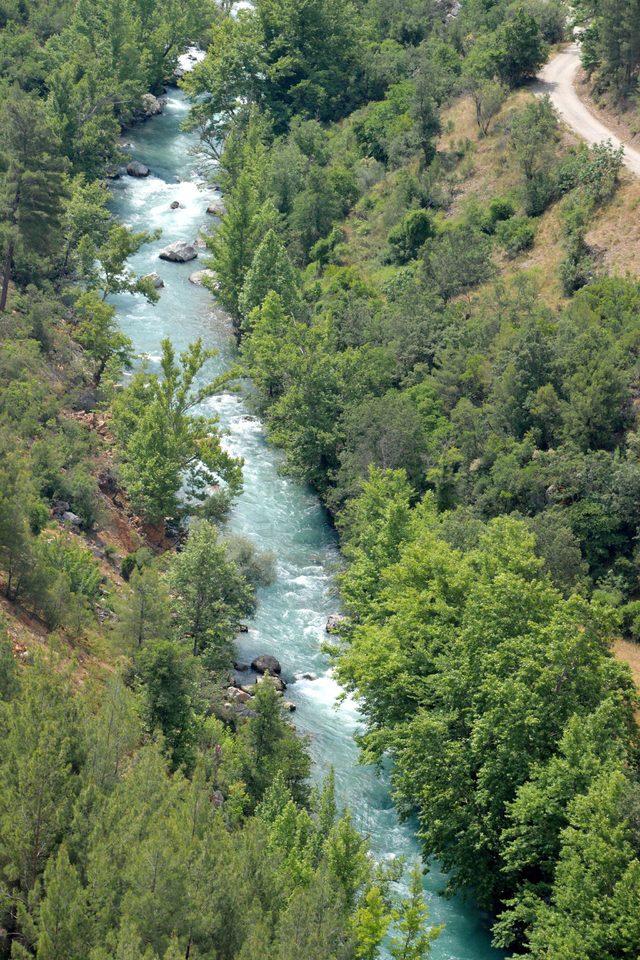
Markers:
<point>276,512</point>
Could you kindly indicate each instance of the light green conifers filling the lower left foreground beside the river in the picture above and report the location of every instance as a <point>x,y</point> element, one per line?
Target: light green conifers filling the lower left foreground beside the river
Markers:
<point>105,845</point>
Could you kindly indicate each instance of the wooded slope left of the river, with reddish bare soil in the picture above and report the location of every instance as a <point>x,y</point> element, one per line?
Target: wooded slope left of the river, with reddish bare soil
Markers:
<point>146,811</point>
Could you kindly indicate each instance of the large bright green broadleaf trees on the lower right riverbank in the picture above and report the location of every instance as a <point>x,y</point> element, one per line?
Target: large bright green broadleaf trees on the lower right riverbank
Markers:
<point>455,657</point>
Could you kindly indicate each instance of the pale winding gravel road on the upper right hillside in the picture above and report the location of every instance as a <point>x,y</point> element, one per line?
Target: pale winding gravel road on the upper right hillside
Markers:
<point>557,79</point>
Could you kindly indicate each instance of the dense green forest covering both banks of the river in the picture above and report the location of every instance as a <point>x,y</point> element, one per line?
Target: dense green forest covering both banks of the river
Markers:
<point>470,424</point>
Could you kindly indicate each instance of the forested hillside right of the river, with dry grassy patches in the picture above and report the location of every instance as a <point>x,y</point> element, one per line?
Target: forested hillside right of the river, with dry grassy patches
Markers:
<point>440,350</point>
